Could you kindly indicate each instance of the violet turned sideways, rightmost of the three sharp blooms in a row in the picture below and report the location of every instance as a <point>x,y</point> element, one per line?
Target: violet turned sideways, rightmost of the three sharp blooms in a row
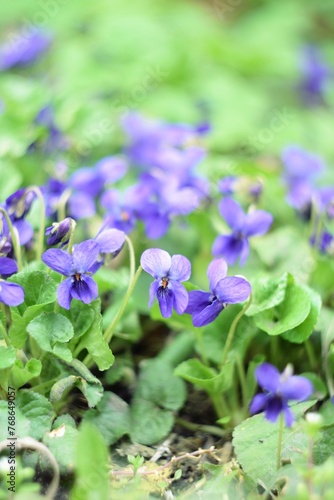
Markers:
<point>206,306</point>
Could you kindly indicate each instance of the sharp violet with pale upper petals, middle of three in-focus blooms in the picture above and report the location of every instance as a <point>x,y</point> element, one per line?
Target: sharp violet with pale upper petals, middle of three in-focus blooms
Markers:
<point>168,273</point>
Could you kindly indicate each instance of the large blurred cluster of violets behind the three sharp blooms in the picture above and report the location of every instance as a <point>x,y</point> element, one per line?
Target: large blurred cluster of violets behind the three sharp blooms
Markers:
<point>165,157</point>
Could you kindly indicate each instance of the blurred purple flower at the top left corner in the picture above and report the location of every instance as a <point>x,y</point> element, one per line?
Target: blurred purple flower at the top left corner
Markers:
<point>22,50</point>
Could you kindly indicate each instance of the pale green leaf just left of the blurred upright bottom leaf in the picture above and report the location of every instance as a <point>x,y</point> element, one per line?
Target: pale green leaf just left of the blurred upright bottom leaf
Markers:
<point>62,441</point>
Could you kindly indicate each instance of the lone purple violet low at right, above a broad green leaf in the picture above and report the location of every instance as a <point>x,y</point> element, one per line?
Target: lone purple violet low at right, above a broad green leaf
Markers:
<point>279,390</point>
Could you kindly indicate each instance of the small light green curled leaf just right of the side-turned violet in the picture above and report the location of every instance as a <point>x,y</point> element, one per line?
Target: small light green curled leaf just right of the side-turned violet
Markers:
<point>267,293</point>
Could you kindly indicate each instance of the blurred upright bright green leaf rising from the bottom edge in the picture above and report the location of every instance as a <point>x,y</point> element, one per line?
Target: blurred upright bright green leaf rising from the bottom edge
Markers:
<point>91,465</point>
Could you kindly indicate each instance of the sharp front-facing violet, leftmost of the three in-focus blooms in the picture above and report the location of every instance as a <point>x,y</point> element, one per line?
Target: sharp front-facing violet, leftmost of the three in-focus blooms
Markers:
<point>77,267</point>
